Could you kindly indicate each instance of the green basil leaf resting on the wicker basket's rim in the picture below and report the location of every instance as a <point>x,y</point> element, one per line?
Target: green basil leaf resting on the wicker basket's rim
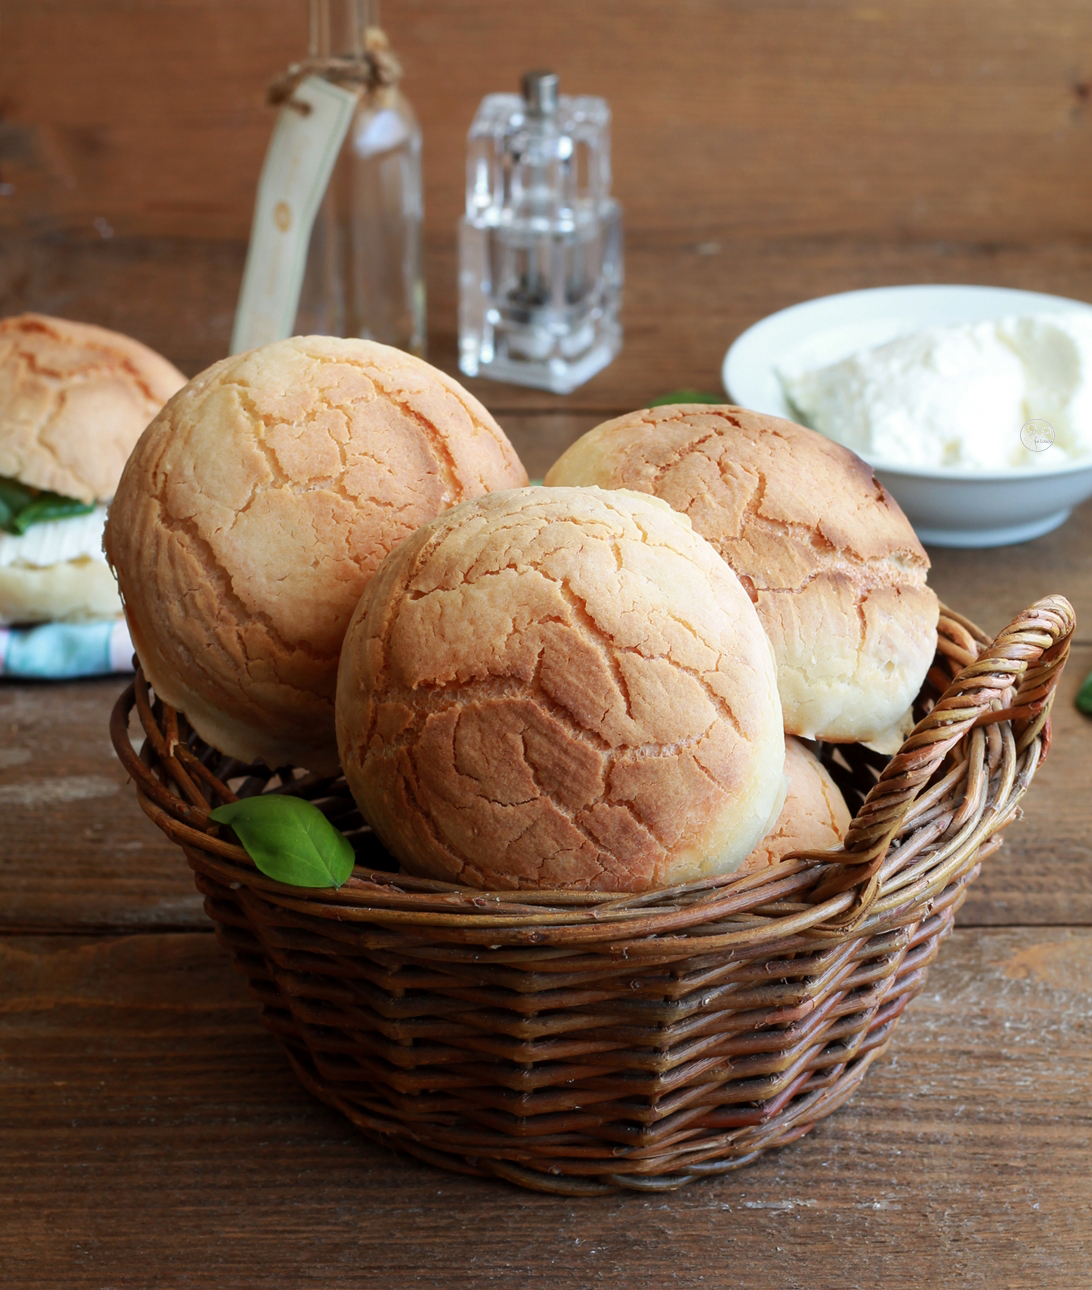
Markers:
<point>289,840</point>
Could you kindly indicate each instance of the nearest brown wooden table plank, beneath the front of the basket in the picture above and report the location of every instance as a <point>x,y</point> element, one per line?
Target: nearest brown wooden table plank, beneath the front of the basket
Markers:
<point>154,1136</point>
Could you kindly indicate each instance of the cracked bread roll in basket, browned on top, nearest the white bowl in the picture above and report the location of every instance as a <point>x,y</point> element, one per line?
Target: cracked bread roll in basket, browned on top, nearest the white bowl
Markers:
<point>834,567</point>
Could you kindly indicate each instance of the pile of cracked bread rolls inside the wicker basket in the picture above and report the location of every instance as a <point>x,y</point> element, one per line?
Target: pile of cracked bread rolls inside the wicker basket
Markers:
<point>329,555</point>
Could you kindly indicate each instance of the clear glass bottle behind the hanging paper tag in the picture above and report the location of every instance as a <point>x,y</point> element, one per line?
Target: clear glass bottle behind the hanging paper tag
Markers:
<point>364,264</point>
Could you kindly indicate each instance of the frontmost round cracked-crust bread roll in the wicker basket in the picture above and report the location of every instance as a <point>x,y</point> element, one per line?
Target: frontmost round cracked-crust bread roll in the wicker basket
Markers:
<point>561,690</point>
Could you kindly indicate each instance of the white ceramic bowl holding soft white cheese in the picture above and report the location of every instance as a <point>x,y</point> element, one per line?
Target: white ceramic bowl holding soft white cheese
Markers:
<point>948,508</point>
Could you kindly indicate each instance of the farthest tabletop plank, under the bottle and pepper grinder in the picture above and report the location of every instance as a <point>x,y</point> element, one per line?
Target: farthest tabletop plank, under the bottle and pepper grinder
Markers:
<point>685,301</point>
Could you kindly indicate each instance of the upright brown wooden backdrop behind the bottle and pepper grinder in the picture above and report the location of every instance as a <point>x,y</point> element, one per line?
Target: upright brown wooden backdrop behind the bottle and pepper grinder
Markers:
<point>924,119</point>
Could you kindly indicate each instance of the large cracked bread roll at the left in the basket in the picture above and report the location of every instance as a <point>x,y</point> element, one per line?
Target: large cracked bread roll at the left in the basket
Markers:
<point>255,511</point>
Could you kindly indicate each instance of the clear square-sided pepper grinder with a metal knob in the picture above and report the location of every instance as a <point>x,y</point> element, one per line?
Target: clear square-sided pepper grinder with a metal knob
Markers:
<point>541,243</point>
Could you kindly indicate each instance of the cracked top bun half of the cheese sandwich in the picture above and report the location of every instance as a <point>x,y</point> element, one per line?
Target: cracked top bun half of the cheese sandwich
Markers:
<point>74,401</point>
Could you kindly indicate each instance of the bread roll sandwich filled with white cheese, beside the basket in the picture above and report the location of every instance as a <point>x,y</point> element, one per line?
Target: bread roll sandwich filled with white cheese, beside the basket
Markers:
<point>74,401</point>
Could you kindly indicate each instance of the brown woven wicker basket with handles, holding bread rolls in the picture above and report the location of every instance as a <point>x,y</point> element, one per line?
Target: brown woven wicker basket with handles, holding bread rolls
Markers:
<point>583,1043</point>
